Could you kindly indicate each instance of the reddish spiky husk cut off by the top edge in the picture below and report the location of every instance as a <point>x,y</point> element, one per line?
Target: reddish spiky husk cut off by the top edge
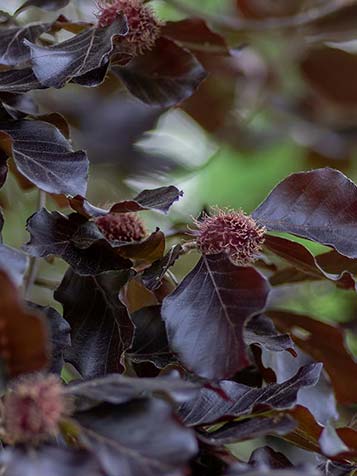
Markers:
<point>144,27</point>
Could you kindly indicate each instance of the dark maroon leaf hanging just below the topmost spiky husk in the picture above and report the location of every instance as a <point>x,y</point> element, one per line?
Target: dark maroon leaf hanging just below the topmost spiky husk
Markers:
<point>164,76</point>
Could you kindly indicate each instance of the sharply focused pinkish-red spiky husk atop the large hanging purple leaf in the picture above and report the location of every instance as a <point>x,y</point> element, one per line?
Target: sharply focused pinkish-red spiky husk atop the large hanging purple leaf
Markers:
<point>232,232</point>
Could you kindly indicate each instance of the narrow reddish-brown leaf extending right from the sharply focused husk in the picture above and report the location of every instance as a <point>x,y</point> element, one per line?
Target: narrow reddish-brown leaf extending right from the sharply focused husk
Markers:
<point>302,260</point>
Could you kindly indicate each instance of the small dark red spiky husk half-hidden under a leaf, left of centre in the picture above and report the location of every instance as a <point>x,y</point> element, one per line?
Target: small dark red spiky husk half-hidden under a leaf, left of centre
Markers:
<point>122,227</point>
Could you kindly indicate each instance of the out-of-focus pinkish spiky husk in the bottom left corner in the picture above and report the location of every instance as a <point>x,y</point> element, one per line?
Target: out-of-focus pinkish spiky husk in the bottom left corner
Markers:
<point>33,408</point>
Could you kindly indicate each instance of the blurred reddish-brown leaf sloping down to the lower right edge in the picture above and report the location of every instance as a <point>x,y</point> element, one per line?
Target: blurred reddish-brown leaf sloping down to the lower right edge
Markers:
<point>326,343</point>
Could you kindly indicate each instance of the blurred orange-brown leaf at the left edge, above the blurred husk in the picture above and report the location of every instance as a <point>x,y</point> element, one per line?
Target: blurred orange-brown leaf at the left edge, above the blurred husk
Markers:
<point>24,344</point>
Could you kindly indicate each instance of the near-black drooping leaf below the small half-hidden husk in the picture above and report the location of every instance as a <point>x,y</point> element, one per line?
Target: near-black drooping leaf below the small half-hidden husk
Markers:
<point>101,330</point>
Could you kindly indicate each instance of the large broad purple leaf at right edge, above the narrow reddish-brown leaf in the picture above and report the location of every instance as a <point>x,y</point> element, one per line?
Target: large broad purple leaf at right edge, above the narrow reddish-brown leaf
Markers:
<point>320,205</point>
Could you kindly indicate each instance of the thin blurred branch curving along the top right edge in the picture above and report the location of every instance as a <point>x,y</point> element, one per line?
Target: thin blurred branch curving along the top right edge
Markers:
<point>244,24</point>
